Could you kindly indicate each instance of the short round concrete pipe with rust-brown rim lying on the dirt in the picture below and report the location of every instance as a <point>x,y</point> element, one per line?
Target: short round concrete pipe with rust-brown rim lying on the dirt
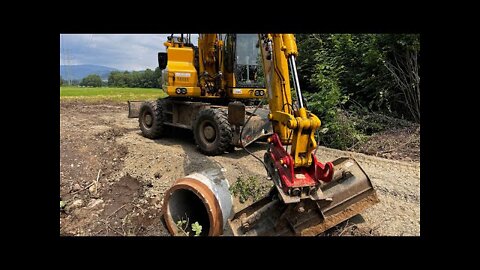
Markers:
<point>199,197</point>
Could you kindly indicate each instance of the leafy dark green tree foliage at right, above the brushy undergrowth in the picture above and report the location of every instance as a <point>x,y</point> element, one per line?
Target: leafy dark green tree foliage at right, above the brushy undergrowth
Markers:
<point>372,72</point>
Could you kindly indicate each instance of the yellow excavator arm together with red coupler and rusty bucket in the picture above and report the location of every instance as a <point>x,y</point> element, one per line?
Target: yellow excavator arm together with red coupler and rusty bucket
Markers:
<point>308,196</point>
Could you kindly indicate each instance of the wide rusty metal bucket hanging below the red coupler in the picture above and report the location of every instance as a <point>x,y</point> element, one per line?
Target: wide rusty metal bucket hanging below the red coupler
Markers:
<point>349,193</point>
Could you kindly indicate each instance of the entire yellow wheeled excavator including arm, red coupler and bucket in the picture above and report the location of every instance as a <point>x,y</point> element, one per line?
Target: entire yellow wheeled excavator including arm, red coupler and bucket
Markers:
<point>210,88</point>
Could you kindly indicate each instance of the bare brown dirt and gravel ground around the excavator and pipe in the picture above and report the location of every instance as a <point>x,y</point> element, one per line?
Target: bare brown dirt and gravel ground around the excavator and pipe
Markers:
<point>113,179</point>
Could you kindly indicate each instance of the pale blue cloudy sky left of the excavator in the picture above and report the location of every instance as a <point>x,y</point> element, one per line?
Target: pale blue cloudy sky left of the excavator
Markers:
<point>120,51</point>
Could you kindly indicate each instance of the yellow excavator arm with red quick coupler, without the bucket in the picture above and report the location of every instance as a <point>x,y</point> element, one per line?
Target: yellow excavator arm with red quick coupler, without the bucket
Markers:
<point>299,172</point>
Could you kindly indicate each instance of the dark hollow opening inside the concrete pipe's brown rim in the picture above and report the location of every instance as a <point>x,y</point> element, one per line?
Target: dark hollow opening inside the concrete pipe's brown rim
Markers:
<point>184,204</point>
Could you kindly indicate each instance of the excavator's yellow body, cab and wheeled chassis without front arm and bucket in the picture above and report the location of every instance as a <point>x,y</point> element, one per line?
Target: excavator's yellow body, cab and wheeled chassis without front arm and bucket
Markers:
<point>206,84</point>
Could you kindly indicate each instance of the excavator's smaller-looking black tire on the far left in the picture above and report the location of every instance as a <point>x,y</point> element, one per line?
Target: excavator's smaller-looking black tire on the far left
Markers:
<point>150,119</point>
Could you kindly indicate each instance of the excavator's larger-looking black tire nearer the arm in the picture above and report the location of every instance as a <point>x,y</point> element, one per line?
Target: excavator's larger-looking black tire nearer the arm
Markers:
<point>216,121</point>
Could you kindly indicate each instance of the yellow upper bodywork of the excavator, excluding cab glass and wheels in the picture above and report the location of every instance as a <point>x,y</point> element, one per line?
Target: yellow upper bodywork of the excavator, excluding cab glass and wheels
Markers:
<point>203,75</point>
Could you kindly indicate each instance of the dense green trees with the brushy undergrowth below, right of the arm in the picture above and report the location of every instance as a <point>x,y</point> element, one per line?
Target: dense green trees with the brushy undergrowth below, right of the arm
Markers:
<point>350,80</point>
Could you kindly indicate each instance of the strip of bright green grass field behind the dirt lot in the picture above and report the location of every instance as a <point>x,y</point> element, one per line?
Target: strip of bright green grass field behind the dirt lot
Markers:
<point>110,94</point>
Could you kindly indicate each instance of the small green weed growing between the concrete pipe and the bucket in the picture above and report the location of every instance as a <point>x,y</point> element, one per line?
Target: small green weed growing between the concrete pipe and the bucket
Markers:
<point>248,188</point>
